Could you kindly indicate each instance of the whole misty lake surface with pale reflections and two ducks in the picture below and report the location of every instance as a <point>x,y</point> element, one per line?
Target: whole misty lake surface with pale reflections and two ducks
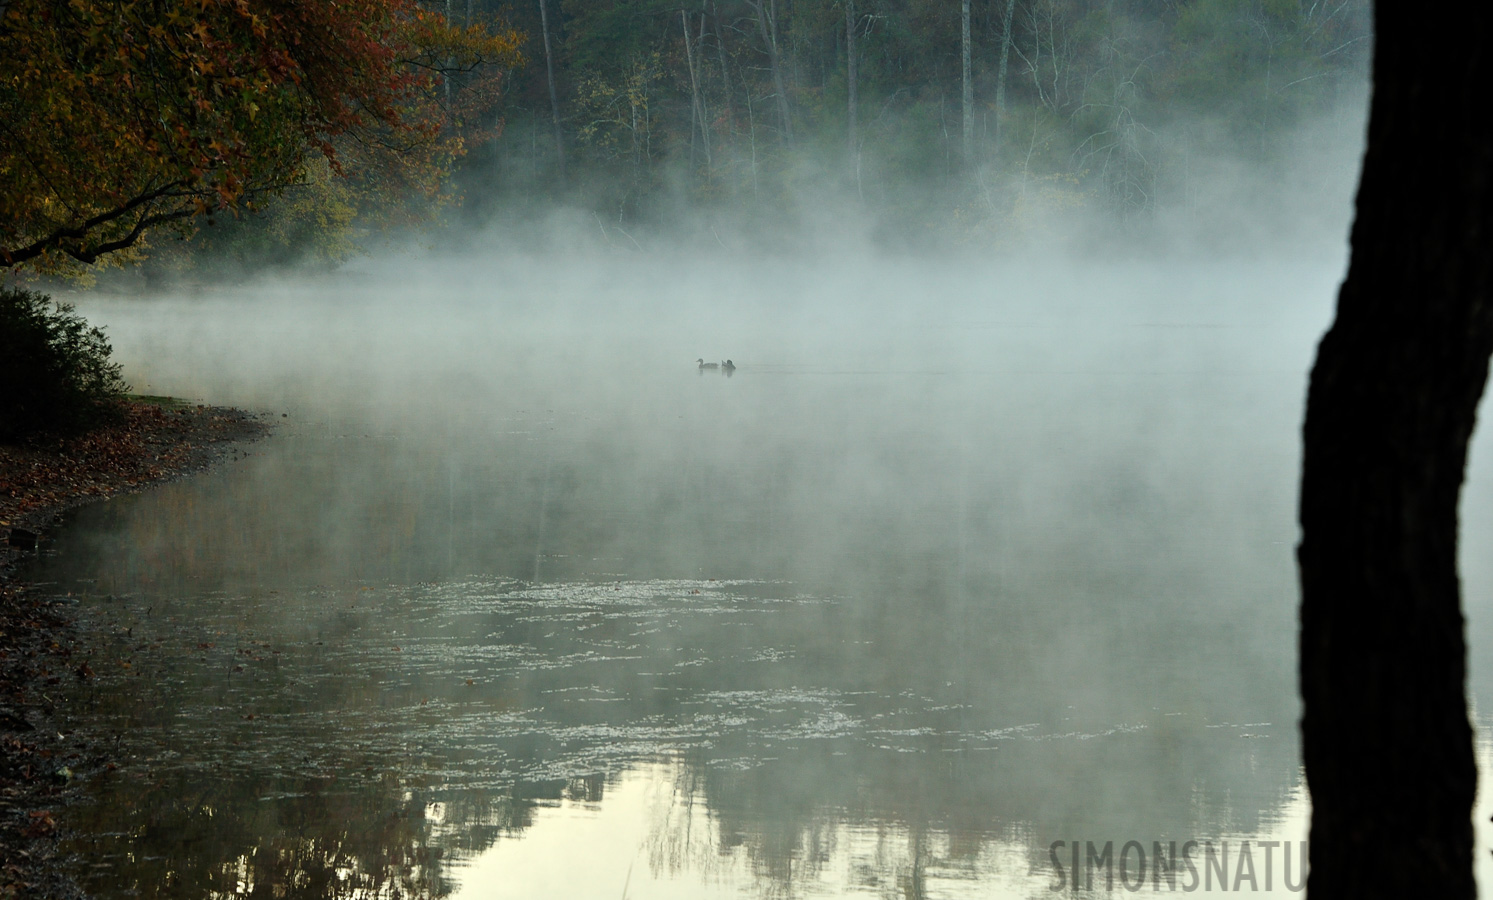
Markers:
<point>961,562</point>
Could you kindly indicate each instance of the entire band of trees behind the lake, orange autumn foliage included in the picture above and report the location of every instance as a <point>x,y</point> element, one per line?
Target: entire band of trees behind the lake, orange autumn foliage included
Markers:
<point>299,129</point>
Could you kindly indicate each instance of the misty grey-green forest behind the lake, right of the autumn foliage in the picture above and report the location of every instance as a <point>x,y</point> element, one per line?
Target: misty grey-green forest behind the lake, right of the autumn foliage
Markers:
<point>928,105</point>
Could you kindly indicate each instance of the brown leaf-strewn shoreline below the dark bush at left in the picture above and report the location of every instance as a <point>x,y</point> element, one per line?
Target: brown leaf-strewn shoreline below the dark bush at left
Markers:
<point>158,441</point>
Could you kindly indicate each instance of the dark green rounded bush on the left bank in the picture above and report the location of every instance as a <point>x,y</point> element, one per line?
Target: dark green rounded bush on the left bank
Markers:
<point>56,375</point>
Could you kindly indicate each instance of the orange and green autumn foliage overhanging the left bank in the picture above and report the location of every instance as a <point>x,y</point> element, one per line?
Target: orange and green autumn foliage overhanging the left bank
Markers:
<point>123,116</point>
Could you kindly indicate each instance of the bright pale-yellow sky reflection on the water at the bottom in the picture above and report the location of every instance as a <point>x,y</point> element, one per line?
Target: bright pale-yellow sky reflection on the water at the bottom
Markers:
<point>653,838</point>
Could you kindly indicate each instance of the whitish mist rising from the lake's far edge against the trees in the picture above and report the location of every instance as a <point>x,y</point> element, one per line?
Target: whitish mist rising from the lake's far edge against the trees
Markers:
<point>1297,205</point>
